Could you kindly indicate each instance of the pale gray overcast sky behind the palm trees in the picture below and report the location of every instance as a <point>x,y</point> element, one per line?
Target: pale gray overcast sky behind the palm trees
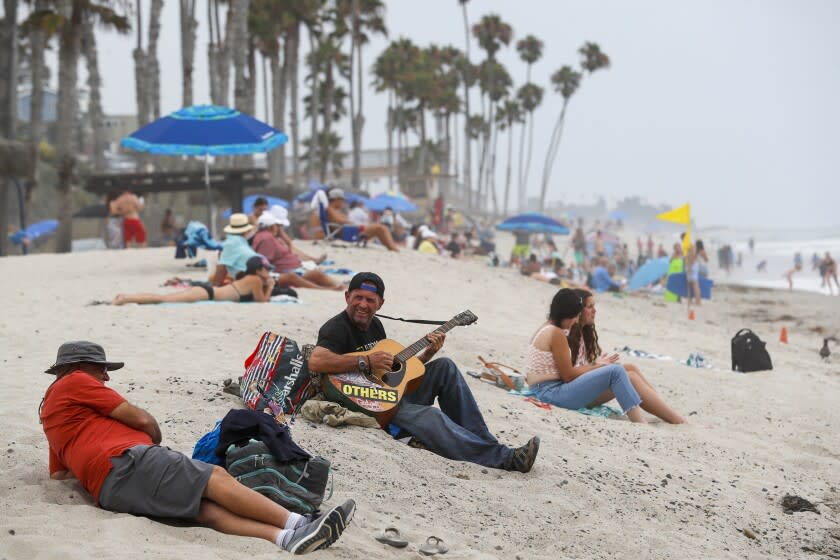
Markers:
<point>733,105</point>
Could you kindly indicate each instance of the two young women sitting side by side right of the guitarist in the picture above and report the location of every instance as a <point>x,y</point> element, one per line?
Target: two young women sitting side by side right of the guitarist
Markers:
<point>567,369</point>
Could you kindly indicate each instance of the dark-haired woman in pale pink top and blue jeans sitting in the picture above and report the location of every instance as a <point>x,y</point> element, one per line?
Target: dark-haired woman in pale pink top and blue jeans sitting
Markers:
<point>555,379</point>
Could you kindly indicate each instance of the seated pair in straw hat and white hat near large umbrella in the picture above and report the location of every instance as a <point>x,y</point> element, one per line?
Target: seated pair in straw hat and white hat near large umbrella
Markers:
<point>272,243</point>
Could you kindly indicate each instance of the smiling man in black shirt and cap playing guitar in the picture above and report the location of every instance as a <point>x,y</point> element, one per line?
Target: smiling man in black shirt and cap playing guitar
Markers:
<point>457,429</point>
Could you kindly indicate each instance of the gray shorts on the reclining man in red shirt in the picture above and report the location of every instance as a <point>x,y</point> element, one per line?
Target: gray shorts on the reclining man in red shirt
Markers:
<point>155,481</point>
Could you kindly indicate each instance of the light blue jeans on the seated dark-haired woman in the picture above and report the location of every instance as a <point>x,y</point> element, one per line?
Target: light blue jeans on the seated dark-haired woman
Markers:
<point>583,390</point>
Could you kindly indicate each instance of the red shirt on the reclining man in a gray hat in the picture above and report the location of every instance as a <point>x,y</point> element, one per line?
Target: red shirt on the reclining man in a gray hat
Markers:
<point>82,436</point>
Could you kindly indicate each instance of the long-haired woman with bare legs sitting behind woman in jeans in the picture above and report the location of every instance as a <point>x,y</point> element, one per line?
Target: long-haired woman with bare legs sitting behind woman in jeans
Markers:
<point>583,340</point>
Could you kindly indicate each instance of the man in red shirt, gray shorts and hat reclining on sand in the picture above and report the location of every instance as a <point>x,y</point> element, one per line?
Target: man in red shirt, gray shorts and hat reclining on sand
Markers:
<point>113,448</point>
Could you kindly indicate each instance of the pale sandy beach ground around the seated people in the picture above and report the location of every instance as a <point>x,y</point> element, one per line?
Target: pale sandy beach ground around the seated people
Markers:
<point>601,488</point>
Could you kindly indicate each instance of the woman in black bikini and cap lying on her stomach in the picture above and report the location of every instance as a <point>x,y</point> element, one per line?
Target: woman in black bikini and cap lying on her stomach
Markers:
<point>256,285</point>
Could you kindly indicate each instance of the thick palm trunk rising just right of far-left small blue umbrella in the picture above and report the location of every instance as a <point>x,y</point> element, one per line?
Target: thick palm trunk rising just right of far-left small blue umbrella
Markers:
<point>67,122</point>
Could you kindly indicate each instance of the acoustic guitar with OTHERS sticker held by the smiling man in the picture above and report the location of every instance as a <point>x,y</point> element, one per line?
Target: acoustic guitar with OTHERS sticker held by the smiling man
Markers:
<point>379,393</point>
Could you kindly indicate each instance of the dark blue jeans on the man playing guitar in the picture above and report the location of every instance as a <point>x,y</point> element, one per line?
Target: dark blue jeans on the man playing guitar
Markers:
<point>456,430</point>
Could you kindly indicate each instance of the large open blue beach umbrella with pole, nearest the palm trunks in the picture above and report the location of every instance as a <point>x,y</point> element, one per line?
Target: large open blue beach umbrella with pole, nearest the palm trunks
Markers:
<point>205,130</point>
